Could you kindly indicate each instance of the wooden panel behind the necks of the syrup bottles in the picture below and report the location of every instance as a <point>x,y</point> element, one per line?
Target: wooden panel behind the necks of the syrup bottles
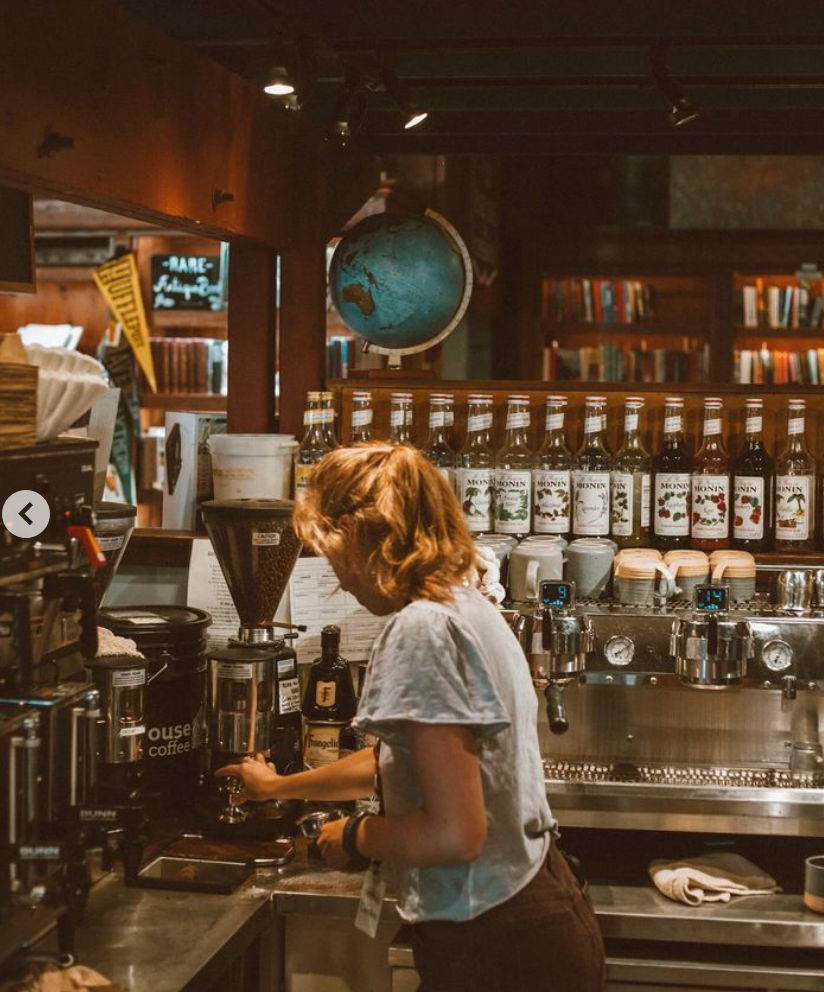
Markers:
<point>775,404</point>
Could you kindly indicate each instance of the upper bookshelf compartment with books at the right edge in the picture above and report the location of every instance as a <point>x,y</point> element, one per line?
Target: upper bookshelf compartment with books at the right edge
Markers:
<point>778,303</point>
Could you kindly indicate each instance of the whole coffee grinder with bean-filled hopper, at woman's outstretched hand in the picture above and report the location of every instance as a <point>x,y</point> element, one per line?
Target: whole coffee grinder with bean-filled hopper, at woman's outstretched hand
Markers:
<point>254,692</point>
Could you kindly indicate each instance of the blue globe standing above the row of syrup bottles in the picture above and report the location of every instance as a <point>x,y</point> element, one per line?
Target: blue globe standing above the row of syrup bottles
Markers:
<point>400,280</point>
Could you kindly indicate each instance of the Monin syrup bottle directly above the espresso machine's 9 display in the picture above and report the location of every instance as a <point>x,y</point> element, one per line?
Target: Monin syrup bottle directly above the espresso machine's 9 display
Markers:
<point>552,479</point>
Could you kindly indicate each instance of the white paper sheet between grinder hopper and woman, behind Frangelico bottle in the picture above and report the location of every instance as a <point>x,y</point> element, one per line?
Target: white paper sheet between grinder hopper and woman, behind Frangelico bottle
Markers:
<point>316,601</point>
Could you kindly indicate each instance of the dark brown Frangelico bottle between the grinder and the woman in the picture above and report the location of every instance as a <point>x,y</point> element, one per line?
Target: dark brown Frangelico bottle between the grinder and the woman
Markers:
<point>328,703</point>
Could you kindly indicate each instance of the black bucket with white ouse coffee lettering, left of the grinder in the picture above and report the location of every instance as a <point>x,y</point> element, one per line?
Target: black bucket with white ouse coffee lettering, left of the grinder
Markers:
<point>173,640</point>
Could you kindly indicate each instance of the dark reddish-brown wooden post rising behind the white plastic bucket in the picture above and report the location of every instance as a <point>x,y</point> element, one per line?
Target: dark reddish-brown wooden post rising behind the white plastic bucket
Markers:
<point>252,337</point>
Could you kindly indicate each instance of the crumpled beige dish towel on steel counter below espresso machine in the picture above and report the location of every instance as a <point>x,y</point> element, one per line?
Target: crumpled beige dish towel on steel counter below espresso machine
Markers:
<point>711,878</point>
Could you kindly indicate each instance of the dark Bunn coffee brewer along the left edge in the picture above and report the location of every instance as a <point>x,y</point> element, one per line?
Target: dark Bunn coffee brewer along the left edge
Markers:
<point>48,715</point>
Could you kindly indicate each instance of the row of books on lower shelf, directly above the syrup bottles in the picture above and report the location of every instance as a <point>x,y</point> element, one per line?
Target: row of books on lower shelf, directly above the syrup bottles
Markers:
<point>623,363</point>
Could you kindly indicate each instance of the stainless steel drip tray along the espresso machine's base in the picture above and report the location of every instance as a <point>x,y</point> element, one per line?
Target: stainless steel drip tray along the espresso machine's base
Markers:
<point>712,800</point>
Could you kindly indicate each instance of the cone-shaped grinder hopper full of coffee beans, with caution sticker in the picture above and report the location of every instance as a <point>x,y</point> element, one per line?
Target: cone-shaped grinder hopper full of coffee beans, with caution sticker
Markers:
<point>257,548</point>
